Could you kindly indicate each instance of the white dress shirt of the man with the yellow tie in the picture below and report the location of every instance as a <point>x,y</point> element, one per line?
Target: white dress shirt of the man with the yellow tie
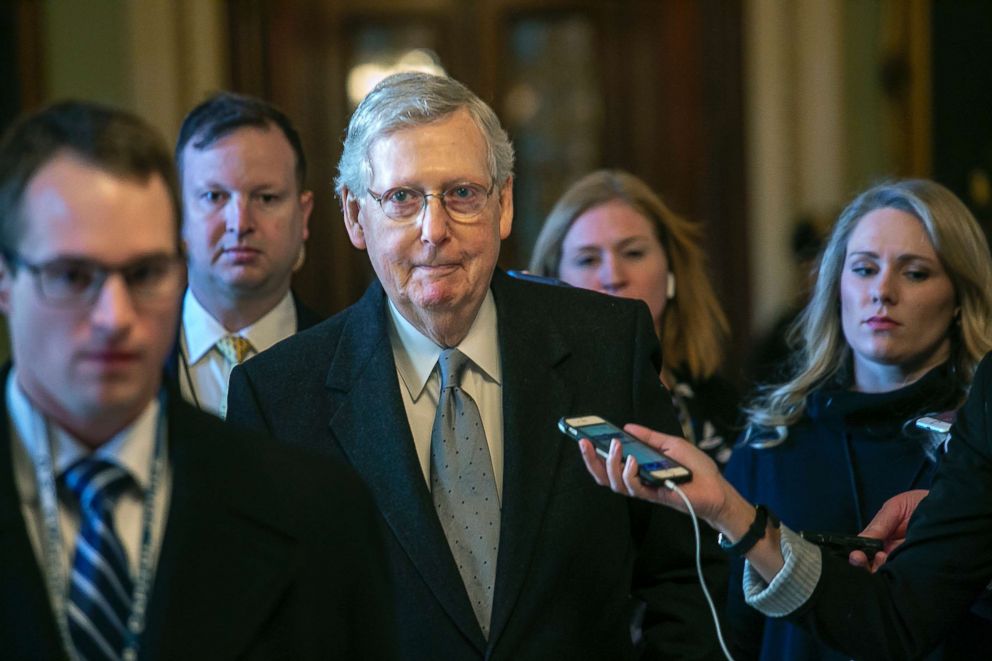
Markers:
<point>203,372</point>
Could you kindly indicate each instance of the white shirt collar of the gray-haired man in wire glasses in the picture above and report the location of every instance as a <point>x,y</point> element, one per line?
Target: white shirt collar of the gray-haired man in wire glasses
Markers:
<point>416,354</point>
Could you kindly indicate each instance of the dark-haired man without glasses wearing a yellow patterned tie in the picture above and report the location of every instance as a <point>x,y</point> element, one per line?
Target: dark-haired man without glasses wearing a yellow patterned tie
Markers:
<point>245,212</point>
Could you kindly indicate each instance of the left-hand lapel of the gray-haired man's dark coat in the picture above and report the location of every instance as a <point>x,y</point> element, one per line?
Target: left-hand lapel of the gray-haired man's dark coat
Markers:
<point>369,422</point>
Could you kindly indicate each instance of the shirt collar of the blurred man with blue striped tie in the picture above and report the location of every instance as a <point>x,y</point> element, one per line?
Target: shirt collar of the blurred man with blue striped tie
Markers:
<point>131,448</point>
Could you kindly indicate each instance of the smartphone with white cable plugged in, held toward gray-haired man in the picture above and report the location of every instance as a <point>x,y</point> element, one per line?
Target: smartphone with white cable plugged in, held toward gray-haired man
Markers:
<point>654,467</point>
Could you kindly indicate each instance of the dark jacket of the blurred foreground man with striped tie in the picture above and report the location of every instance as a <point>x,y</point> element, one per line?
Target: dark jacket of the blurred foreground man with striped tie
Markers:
<point>268,553</point>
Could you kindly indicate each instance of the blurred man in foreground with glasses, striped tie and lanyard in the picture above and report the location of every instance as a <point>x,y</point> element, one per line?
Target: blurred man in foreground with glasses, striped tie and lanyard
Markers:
<point>131,524</point>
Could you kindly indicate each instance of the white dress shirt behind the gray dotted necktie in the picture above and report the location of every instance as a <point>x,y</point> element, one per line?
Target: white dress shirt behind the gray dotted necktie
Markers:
<point>416,358</point>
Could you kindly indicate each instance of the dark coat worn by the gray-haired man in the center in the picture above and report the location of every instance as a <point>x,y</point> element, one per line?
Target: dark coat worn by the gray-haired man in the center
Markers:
<point>571,553</point>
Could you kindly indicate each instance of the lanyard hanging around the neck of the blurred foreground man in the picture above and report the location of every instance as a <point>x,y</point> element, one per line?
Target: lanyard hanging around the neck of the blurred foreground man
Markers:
<point>52,538</point>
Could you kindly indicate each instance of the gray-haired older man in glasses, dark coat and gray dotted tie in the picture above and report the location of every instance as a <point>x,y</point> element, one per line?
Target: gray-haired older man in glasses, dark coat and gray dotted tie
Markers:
<point>426,188</point>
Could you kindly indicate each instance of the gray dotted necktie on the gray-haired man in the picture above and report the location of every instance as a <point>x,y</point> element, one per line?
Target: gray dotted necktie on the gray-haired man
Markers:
<point>463,486</point>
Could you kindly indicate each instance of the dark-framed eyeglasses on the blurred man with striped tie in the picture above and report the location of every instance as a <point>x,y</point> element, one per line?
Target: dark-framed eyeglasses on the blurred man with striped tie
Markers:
<point>72,281</point>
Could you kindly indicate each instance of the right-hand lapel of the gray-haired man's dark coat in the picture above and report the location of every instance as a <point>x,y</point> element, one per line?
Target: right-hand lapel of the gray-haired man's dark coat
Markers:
<point>534,396</point>
